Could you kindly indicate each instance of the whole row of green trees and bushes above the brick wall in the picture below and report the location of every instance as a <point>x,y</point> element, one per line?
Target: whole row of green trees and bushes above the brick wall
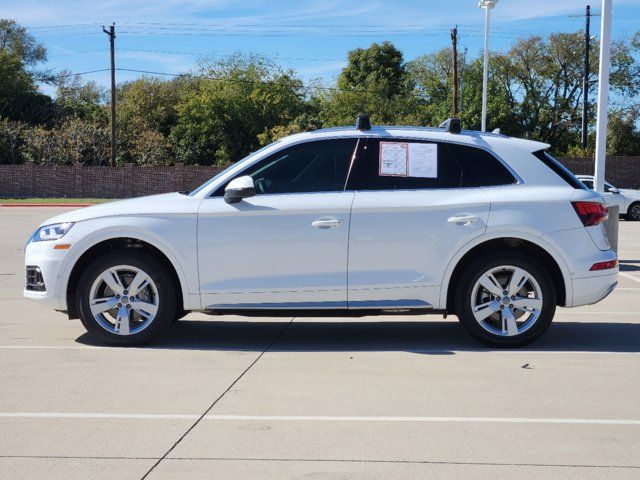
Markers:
<point>226,109</point>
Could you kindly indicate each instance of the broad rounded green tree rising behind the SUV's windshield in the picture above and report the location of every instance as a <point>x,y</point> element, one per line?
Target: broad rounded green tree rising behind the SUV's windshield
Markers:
<point>228,104</point>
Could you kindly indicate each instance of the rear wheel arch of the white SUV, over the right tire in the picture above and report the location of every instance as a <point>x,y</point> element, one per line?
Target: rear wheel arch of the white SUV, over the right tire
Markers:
<point>543,253</point>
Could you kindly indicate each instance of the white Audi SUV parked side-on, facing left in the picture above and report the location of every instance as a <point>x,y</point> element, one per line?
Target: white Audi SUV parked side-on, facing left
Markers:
<point>340,222</point>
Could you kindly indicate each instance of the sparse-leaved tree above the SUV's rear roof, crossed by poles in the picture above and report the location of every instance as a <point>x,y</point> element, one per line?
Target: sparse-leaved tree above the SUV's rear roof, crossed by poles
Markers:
<point>542,83</point>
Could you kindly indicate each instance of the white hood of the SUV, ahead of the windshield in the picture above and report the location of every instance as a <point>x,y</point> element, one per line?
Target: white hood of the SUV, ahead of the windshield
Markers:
<point>166,203</point>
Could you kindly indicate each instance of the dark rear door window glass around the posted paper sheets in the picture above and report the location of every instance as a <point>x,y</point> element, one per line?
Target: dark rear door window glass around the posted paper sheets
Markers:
<point>368,174</point>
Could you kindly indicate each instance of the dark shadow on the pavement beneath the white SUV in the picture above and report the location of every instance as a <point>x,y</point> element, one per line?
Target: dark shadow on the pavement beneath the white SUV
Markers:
<point>435,337</point>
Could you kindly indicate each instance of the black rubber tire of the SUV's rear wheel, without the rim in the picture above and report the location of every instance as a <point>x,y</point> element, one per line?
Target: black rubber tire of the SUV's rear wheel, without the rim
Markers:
<point>464,292</point>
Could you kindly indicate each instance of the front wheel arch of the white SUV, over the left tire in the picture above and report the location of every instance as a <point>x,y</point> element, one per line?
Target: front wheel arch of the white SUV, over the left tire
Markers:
<point>120,242</point>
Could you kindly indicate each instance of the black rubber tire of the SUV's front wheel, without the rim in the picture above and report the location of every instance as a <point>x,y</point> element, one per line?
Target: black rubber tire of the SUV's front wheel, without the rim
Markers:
<point>167,304</point>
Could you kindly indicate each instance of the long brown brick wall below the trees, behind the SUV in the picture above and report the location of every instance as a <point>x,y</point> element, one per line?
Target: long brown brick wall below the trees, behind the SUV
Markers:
<point>78,181</point>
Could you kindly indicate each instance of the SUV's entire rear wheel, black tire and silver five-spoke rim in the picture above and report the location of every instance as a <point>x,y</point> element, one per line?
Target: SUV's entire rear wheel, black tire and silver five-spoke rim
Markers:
<point>505,299</point>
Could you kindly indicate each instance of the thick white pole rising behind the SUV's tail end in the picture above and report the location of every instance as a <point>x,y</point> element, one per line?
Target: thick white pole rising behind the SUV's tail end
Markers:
<point>603,96</point>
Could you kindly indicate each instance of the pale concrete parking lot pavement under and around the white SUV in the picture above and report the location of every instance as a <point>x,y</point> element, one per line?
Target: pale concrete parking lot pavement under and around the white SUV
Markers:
<point>377,397</point>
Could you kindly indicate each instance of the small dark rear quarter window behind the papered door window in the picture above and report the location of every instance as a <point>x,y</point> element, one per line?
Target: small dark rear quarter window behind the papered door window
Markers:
<point>485,168</point>
